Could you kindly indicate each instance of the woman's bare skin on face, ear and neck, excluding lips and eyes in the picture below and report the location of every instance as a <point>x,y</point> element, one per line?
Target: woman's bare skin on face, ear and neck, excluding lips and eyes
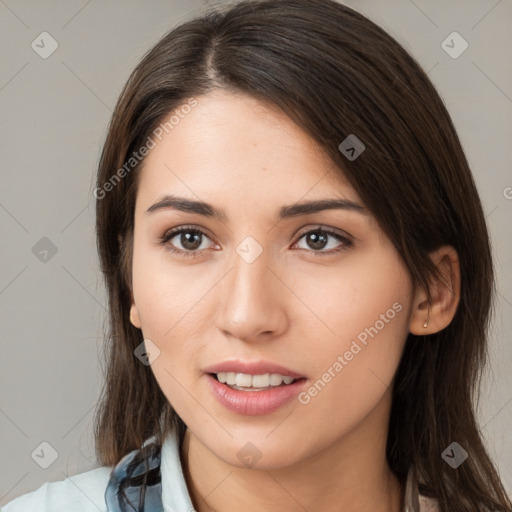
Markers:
<point>289,306</point>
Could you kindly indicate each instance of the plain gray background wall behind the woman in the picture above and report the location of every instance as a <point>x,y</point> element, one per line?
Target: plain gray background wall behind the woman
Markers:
<point>54,115</point>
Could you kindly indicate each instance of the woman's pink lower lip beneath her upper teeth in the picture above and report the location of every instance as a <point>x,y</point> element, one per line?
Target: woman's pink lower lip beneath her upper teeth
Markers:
<point>254,403</point>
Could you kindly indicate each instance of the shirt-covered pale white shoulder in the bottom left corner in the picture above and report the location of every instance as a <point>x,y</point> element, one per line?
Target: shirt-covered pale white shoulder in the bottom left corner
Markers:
<point>83,492</point>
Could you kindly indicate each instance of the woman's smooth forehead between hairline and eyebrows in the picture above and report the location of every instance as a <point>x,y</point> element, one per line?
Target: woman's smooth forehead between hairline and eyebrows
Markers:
<point>230,146</point>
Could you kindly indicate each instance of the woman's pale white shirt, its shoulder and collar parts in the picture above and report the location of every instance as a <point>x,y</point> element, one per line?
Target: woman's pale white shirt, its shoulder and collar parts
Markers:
<point>85,492</point>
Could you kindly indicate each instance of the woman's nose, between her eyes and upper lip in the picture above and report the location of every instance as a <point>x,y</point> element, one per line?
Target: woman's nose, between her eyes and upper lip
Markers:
<point>253,300</point>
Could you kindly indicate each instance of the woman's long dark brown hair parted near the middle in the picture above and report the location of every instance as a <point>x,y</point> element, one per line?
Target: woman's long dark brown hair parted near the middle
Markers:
<point>334,73</point>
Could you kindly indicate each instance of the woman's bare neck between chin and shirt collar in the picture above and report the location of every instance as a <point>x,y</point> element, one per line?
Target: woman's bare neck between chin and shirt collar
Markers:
<point>351,474</point>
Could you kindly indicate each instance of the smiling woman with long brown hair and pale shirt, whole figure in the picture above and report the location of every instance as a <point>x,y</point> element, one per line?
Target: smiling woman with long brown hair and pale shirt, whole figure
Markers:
<point>299,278</point>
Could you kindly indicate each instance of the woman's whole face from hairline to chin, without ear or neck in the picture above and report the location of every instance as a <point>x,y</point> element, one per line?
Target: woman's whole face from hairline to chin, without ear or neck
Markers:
<point>320,292</point>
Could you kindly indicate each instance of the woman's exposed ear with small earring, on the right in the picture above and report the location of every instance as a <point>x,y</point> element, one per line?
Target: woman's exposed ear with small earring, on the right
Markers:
<point>445,295</point>
